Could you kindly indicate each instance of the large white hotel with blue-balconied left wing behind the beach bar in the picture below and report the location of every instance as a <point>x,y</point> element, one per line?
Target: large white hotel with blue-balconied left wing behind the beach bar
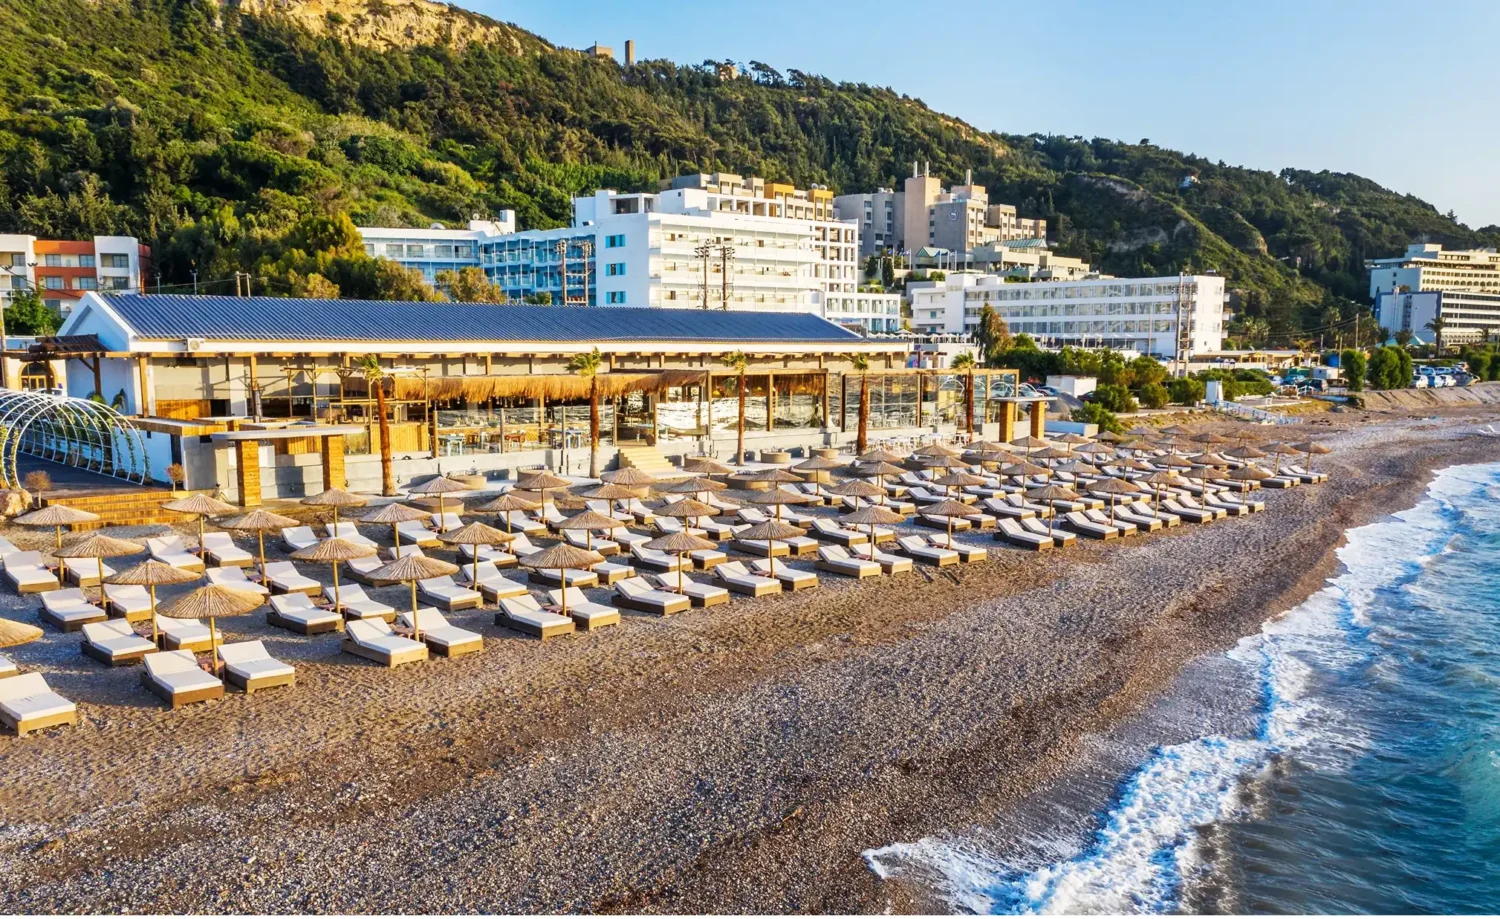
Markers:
<point>787,253</point>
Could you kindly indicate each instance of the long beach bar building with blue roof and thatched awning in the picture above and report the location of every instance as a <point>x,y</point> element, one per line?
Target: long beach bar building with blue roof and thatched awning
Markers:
<point>269,398</point>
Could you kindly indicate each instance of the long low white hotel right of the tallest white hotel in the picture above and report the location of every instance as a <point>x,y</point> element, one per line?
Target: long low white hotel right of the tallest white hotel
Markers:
<point>1136,314</point>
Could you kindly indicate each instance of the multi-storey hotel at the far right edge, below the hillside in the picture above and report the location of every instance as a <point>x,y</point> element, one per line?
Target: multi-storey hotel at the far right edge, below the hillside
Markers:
<point>1429,283</point>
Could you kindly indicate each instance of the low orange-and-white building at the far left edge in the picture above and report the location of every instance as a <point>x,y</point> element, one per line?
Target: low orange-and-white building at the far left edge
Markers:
<point>64,271</point>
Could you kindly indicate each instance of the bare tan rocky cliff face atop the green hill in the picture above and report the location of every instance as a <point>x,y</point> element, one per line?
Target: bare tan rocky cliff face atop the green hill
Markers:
<point>391,23</point>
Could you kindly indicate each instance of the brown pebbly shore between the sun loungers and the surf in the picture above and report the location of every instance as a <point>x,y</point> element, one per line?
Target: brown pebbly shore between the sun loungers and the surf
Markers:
<point>727,761</point>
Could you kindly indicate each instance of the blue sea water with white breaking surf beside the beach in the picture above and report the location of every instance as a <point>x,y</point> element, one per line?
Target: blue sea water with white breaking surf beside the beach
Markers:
<point>1372,782</point>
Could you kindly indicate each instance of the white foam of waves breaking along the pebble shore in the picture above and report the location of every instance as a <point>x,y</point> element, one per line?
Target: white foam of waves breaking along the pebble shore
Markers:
<point>1145,849</point>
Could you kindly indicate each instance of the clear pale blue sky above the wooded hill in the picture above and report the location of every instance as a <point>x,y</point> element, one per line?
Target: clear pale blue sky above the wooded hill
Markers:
<point>1397,92</point>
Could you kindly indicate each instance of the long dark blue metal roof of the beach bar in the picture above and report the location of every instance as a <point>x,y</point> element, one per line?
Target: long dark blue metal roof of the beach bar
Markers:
<point>296,320</point>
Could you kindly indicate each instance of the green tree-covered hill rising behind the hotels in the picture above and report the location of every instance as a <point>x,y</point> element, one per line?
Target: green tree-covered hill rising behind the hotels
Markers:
<point>217,133</point>
